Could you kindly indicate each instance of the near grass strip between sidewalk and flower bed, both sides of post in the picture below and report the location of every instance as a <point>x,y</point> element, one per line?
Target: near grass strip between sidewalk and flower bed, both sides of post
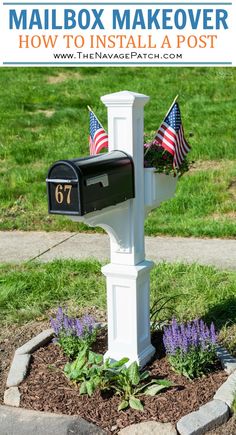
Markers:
<point>29,290</point>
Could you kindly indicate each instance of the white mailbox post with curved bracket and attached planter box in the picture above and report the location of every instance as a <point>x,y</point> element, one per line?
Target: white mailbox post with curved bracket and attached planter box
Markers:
<point>128,274</point>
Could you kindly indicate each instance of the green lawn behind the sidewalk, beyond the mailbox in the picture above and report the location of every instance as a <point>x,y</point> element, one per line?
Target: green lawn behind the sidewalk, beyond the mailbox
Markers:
<point>44,118</point>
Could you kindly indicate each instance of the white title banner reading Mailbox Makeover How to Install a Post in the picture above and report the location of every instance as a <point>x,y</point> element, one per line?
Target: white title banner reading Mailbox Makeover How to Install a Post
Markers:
<point>180,33</point>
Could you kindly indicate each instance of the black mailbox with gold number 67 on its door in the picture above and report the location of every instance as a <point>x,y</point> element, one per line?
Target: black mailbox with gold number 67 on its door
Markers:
<point>80,186</point>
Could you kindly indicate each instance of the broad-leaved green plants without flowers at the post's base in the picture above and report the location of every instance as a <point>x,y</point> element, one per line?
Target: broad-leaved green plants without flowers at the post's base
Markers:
<point>91,373</point>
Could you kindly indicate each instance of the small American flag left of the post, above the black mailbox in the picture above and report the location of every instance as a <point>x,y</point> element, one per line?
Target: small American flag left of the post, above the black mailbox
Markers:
<point>98,138</point>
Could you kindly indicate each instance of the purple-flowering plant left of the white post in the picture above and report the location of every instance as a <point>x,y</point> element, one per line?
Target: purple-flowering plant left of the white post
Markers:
<point>73,334</point>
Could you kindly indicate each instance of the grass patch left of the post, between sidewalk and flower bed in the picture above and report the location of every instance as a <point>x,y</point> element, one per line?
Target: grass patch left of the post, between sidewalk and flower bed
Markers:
<point>28,290</point>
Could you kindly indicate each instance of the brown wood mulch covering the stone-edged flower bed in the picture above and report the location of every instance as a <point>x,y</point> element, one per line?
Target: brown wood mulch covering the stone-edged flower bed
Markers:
<point>47,389</point>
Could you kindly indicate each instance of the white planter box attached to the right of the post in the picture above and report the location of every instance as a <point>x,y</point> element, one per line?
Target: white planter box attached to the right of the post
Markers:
<point>158,187</point>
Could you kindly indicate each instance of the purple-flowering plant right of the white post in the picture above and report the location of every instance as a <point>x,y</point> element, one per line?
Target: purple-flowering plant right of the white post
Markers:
<point>191,347</point>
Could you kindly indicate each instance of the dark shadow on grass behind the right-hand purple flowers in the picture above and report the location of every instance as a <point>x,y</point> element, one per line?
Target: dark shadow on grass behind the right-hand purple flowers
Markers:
<point>222,313</point>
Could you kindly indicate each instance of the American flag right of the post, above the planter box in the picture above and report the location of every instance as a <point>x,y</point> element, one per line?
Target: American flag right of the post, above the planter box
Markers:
<point>171,136</point>
